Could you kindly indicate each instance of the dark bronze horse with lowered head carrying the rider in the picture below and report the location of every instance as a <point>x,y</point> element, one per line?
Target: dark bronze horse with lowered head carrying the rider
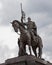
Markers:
<point>25,39</point>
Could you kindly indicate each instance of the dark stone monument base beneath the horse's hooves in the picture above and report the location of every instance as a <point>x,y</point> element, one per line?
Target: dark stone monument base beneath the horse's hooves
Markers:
<point>26,60</point>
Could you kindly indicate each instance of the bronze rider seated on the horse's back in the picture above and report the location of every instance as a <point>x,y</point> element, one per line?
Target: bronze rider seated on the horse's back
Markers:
<point>31,27</point>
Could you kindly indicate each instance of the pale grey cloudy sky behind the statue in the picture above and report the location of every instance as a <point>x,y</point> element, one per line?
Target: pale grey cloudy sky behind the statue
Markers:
<point>40,11</point>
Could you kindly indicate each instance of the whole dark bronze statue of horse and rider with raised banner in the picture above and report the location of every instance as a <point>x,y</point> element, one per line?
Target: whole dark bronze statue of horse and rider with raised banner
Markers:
<point>28,36</point>
